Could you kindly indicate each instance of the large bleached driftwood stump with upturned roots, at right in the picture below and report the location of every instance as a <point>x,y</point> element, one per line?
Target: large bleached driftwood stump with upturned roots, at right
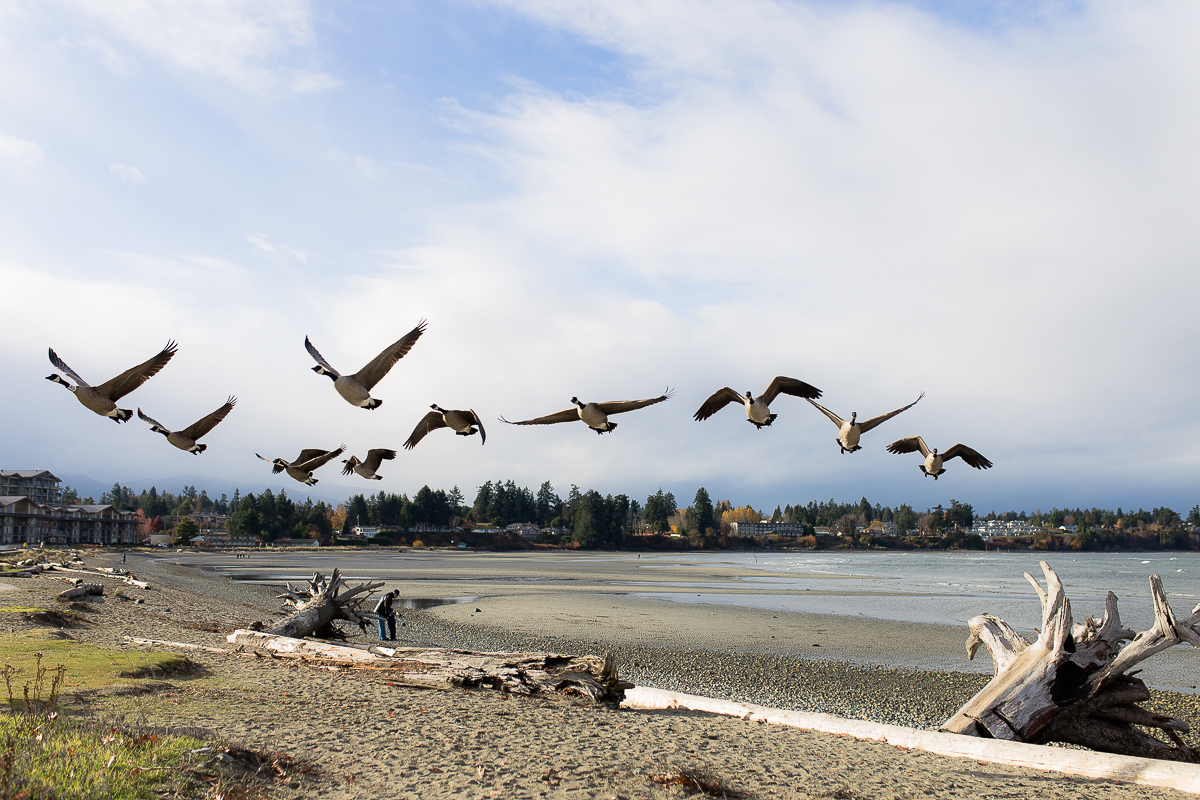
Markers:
<point>1072,684</point>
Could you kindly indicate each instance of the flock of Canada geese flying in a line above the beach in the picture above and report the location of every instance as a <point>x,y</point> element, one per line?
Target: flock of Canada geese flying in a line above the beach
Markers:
<point>356,389</point>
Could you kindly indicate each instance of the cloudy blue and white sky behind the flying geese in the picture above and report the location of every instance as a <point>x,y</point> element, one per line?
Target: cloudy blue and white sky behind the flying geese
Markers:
<point>993,203</point>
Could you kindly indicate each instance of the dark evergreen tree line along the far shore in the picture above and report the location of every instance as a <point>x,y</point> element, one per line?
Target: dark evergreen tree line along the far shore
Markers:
<point>592,520</point>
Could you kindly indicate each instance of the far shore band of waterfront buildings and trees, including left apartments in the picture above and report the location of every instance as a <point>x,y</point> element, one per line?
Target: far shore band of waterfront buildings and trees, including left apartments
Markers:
<point>37,509</point>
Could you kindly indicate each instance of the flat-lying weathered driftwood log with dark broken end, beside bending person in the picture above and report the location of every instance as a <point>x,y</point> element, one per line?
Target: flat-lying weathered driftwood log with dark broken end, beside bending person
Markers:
<point>520,673</point>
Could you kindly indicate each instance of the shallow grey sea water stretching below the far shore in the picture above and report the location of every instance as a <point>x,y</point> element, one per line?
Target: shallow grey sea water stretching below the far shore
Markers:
<point>938,588</point>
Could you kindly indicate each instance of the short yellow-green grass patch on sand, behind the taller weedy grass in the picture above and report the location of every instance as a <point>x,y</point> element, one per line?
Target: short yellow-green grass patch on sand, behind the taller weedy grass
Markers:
<point>91,667</point>
